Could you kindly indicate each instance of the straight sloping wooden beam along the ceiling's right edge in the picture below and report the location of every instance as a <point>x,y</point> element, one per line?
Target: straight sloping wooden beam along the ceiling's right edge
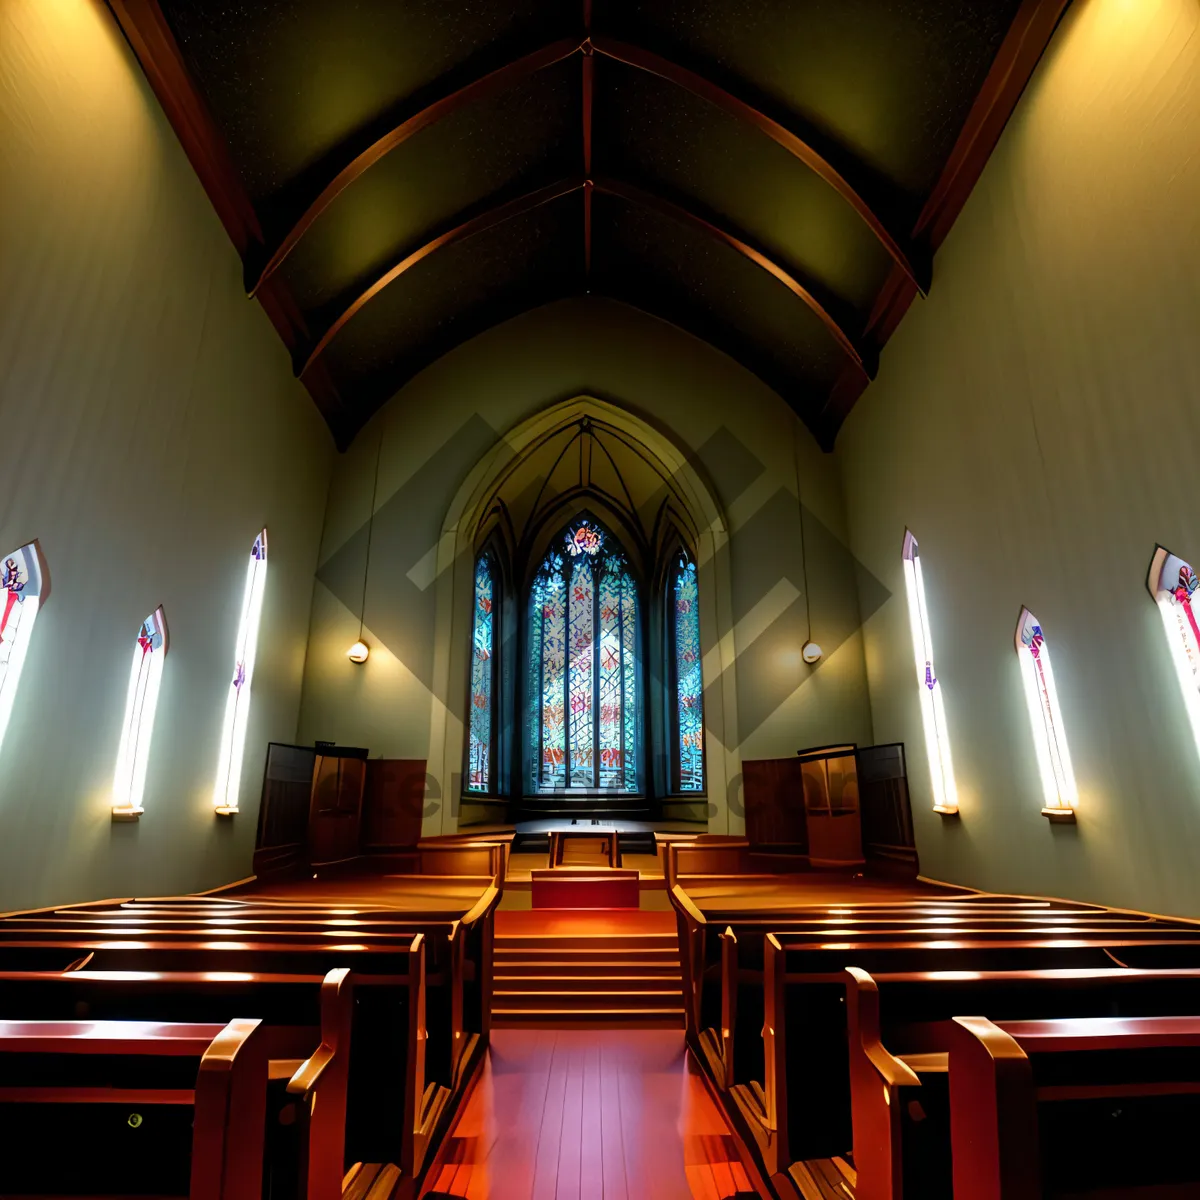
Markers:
<point>1016,62</point>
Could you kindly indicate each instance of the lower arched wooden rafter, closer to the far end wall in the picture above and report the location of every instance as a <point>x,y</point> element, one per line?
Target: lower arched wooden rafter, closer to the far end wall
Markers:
<point>851,346</point>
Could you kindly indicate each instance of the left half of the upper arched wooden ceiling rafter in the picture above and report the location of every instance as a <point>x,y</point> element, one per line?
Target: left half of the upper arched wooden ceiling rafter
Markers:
<point>359,161</point>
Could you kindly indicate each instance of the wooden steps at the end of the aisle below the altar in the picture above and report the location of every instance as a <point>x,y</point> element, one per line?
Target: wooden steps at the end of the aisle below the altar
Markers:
<point>629,980</point>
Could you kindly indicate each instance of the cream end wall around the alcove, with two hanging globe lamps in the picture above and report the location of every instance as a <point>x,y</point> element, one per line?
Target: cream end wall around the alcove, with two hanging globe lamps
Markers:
<point>440,427</point>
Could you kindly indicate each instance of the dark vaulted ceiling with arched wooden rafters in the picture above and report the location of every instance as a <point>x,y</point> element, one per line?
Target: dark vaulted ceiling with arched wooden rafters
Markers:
<point>772,176</point>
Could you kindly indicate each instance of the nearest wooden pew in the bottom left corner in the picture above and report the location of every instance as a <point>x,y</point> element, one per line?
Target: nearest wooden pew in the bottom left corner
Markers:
<point>153,1109</point>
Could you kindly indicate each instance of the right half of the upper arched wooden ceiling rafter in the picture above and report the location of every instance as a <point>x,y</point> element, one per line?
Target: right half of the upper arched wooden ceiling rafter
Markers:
<point>908,257</point>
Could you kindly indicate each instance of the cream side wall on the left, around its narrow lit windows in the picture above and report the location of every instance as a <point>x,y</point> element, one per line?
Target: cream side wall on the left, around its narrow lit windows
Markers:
<point>151,428</point>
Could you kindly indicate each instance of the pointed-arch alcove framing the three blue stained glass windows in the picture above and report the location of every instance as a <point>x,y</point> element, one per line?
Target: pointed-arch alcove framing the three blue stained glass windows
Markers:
<point>587,455</point>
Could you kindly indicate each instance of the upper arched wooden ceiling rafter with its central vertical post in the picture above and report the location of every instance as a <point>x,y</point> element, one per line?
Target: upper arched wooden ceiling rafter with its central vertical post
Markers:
<point>358,160</point>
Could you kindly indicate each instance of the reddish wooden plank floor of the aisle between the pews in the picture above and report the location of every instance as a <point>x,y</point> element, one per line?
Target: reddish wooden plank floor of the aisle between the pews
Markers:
<point>590,1115</point>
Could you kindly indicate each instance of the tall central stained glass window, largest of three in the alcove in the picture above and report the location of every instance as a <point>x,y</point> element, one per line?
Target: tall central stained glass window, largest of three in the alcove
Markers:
<point>585,706</point>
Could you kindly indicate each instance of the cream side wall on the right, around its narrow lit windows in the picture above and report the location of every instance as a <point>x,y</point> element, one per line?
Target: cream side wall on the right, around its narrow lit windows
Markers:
<point>1037,424</point>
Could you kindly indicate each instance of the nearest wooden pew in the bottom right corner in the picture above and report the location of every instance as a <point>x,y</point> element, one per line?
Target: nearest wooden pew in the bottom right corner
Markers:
<point>1094,1108</point>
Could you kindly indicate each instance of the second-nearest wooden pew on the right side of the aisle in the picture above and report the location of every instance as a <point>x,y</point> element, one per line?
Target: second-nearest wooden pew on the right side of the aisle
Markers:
<point>899,1037</point>
